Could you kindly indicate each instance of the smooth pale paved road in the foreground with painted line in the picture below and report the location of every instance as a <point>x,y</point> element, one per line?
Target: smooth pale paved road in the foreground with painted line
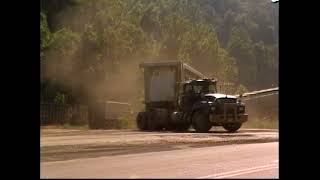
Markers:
<point>229,161</point>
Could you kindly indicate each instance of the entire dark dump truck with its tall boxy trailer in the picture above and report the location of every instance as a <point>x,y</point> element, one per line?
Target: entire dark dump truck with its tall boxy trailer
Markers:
<point>177,97</point>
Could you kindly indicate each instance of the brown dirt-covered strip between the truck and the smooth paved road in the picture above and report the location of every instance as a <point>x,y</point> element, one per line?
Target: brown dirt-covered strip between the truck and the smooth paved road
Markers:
<point>65,144</point>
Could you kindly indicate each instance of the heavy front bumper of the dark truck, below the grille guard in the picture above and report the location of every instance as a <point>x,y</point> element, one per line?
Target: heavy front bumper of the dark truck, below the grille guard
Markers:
<point>228,118</point>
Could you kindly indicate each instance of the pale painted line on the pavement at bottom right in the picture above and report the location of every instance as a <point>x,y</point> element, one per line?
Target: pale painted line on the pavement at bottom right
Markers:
<point>239,172</point>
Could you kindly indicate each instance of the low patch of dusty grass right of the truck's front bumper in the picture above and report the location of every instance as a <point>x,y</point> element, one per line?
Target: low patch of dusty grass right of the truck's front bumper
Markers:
<point>260,123</point>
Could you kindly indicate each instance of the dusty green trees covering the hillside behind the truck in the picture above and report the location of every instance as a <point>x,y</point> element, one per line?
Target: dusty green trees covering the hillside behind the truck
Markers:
<point>87,45</point>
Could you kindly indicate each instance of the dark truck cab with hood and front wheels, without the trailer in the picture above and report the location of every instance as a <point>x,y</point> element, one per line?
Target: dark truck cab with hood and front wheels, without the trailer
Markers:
<point>203,107</point>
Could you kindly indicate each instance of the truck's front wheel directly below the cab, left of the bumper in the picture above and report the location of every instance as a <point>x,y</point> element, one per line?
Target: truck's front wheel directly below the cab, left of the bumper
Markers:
<point>200,122</point>
